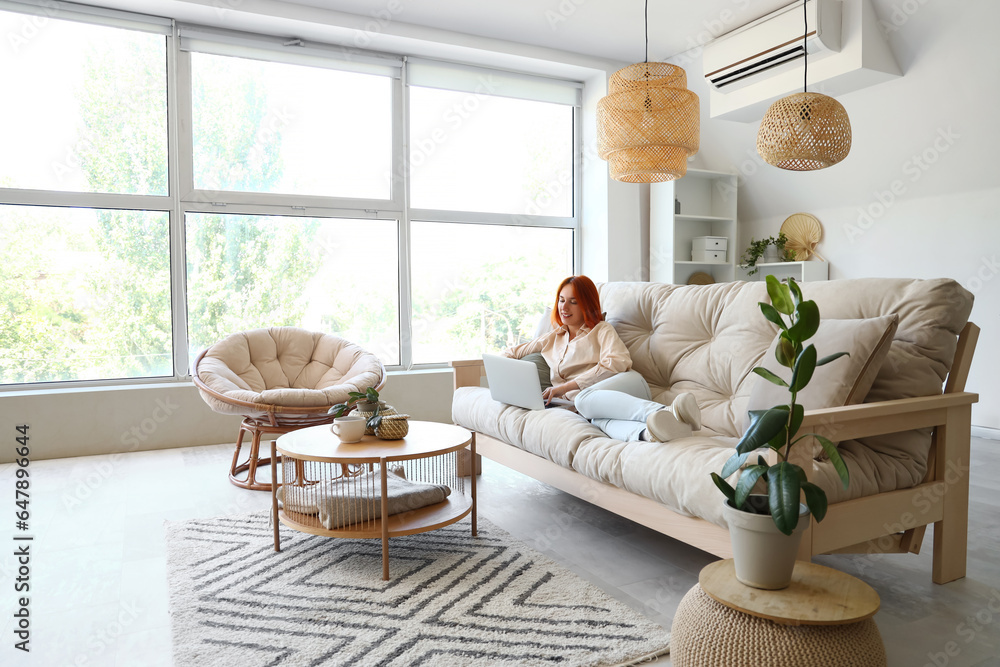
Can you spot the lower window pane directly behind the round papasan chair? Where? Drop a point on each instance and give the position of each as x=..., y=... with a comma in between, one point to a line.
x=246, y=272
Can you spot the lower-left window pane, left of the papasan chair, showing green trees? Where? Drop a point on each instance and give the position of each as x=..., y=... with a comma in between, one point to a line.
x=86, y=294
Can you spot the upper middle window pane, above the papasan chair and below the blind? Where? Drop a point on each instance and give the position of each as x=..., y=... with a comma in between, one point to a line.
x=275, y=127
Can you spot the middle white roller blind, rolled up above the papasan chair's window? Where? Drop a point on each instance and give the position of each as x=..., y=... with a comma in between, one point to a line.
x=292, y=51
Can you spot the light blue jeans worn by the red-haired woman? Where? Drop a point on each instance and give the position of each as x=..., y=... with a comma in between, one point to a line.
x=618, y=405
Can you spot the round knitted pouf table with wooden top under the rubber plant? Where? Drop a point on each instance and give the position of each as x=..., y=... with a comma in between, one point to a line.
x=823, y=619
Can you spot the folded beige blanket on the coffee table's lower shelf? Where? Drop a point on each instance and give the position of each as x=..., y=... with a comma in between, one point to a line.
x=343, y=502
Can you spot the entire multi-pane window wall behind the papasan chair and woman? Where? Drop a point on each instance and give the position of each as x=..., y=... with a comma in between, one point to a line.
x=163, y=186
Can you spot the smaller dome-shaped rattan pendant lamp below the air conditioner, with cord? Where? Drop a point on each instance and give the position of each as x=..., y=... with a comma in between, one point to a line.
x=805, y=131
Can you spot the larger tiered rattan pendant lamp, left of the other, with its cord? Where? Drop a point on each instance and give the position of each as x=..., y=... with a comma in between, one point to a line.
x=648, y=124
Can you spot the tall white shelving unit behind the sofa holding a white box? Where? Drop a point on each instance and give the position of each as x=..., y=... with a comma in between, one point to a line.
x=707, y=208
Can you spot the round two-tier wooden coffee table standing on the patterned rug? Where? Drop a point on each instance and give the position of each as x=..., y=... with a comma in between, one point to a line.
x=346, y=483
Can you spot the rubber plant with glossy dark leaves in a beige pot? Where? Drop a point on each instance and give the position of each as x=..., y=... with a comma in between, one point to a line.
x=766, y=529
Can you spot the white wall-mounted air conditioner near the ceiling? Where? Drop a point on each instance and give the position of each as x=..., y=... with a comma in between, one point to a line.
x=772, y=44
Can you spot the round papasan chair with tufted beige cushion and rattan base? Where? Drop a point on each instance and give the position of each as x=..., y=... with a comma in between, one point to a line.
x=280, y=379
